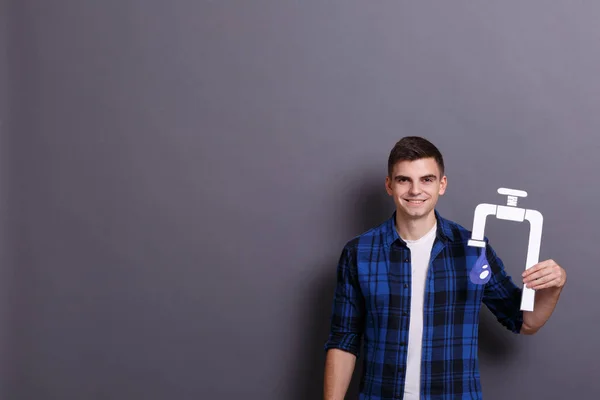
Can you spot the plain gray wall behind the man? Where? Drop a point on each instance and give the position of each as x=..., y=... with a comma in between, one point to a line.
x=178, y=180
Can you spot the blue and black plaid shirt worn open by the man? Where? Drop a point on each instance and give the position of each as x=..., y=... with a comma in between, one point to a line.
x=372, y=303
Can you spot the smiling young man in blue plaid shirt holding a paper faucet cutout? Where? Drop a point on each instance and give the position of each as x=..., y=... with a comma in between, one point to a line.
x=404, y=288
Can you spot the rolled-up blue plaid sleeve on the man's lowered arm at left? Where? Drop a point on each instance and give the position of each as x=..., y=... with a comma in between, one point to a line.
x=348, y=307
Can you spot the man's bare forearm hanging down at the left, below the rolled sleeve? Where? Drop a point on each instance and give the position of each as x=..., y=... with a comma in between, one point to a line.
x=339, y=367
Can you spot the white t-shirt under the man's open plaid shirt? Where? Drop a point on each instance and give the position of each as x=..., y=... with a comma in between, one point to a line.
x=420, y=251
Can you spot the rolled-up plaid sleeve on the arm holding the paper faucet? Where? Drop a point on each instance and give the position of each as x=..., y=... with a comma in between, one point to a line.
x=501, y=296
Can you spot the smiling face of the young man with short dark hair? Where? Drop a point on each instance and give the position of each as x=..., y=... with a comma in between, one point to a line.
x=416, y=187
